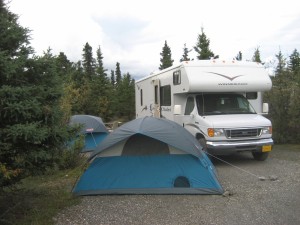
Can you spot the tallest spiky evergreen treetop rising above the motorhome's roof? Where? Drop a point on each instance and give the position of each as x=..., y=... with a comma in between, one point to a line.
x=202, y=47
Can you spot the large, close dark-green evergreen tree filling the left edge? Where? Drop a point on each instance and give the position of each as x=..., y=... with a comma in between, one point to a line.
x=31, y=126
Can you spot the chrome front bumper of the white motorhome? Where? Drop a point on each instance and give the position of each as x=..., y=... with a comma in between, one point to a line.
x=229, y=147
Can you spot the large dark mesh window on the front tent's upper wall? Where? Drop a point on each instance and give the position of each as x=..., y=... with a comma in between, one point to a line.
x=139, y=144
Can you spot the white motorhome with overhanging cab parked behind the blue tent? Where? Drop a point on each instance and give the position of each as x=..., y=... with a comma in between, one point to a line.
x=219, y=102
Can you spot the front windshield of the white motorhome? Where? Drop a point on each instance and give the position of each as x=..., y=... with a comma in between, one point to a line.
x=216, y=104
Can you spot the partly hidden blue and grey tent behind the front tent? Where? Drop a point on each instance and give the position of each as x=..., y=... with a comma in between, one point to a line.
x=92, y=128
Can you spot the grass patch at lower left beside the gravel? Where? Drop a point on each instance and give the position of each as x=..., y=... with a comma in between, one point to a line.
x=36, y=200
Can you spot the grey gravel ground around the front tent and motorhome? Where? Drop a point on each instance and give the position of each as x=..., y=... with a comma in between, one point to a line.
x=275, y=200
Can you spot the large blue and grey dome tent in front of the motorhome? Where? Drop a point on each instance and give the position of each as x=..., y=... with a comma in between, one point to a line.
x=149, y=156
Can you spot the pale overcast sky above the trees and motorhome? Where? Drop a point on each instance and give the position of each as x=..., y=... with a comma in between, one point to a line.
x=133, y=32
